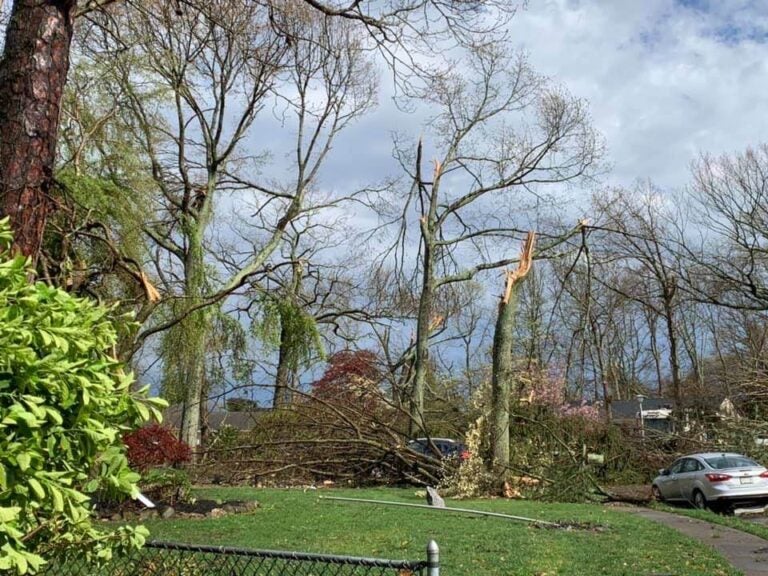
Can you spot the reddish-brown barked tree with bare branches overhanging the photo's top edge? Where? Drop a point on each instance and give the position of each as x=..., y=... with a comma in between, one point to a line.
x=35, y=61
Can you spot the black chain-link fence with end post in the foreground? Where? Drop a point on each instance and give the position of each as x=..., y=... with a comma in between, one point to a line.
x=170, y=559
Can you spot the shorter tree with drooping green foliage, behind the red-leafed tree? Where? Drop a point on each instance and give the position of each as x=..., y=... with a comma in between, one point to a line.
x=306, y=304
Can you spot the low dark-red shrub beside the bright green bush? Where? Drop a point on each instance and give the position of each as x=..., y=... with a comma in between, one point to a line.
x=155, y=445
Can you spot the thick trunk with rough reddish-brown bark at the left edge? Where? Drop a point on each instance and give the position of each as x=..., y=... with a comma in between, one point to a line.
x=33, y=71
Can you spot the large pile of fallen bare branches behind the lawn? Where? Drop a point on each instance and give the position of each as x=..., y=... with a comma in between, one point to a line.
x=353, y=439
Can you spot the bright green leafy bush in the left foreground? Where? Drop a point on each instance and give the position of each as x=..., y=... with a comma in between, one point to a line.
x=65, y=403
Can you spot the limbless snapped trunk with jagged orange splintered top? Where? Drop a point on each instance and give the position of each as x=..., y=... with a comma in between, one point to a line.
x=503, y=359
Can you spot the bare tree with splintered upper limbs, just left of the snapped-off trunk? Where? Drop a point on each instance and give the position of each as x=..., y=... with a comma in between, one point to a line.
x=503, y=135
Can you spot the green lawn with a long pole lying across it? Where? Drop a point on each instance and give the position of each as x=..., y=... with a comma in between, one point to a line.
x=294, y=520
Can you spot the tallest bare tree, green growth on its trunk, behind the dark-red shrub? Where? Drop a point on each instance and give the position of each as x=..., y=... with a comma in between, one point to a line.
x=220, y=66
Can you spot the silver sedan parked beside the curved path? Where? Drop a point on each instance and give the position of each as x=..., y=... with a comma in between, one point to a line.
x=713, y=479
